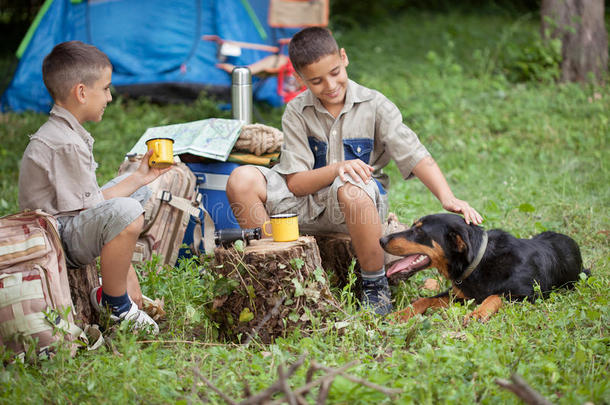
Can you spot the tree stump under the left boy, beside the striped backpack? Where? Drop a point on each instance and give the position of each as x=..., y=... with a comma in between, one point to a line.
x=82, y=281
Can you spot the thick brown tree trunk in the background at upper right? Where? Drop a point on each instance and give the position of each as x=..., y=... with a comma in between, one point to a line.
x=579, y=24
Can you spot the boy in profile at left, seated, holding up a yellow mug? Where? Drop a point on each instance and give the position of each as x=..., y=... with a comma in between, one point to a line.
x=57, y=175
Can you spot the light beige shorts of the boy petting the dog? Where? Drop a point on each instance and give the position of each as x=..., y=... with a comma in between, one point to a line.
x=320, y=212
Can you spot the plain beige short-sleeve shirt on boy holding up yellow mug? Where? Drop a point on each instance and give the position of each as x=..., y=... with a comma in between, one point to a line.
x=57, y=171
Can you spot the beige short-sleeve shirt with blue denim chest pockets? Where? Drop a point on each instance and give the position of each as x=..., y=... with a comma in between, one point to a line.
x=369, y=128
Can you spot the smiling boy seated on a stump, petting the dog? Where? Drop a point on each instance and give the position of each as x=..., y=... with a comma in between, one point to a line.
x=338, y=137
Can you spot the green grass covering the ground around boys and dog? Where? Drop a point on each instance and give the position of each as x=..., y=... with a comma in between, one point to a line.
x=529, y=156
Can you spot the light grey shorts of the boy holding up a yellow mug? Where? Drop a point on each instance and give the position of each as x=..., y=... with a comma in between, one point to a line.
x=85, y=234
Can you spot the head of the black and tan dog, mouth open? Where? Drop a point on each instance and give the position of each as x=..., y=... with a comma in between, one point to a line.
x=442, y=241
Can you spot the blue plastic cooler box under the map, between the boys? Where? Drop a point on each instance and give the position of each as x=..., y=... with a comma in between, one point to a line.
x=212, y=184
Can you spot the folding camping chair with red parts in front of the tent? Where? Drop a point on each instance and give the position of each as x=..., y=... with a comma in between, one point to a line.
x=282, y=14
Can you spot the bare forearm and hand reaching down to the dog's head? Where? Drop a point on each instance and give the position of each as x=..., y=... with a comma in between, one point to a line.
x=430, y=174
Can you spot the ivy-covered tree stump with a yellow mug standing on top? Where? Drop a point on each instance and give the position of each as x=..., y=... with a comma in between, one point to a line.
x=269, y=289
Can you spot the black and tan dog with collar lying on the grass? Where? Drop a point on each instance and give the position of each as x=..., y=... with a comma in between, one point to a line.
x=481, y=265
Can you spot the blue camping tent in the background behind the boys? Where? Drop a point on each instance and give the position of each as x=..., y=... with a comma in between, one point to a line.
x=155, y=46
